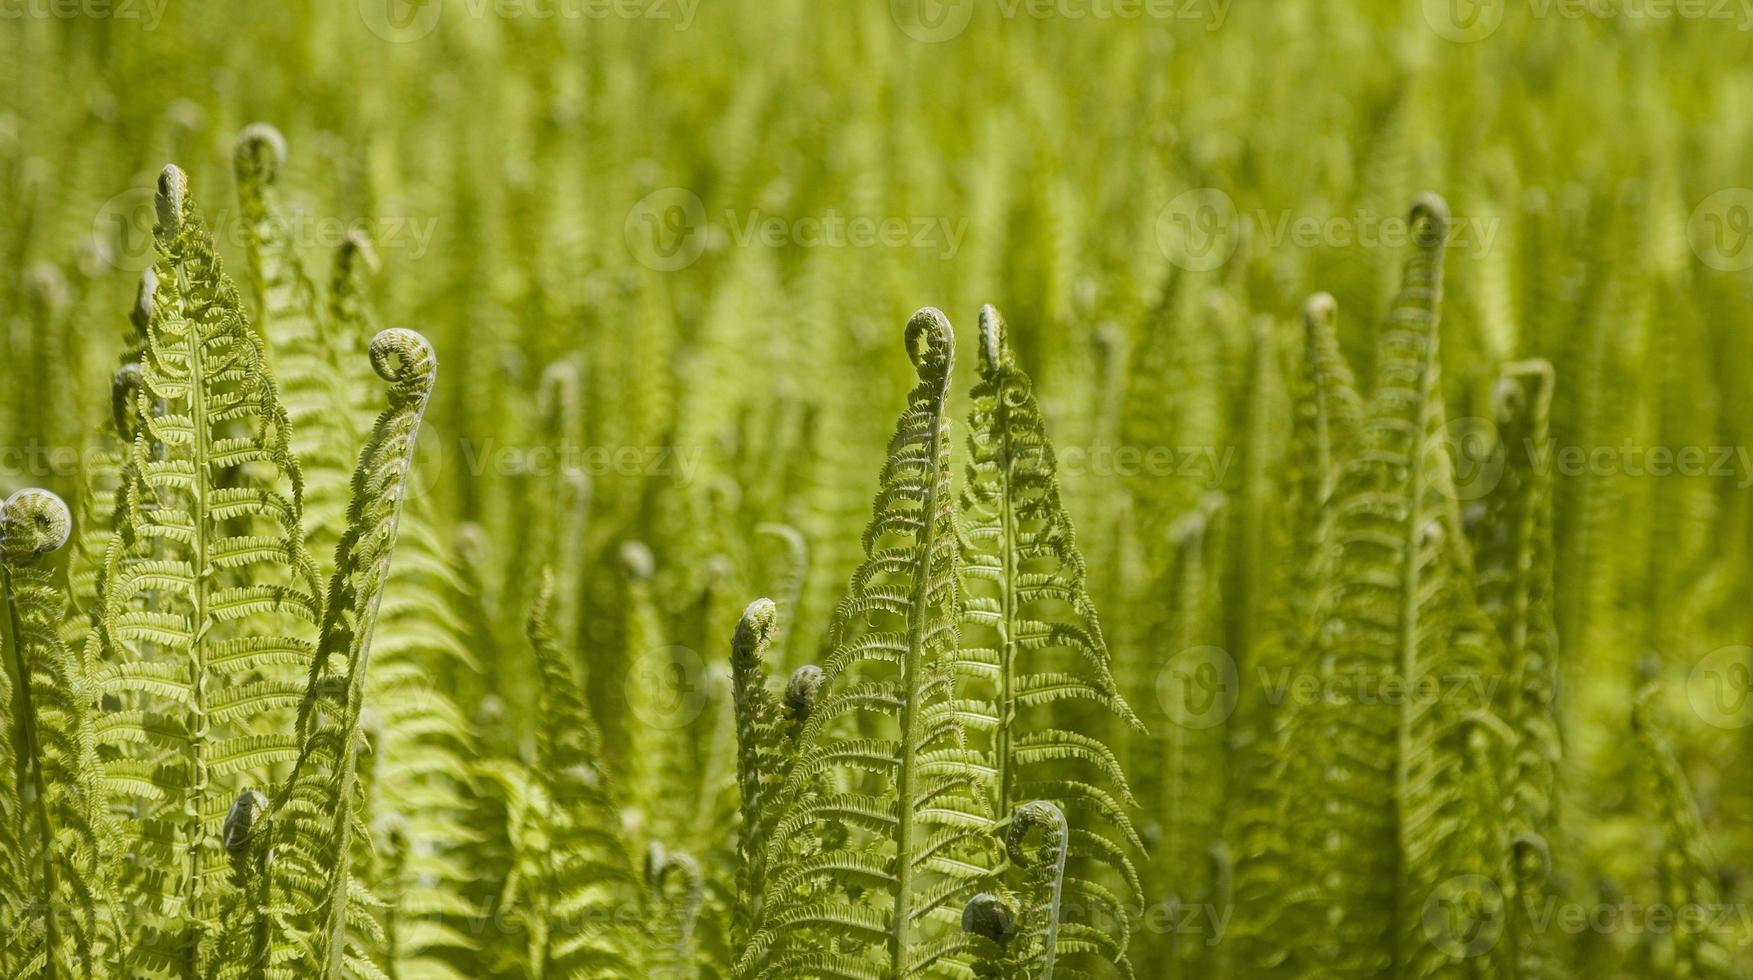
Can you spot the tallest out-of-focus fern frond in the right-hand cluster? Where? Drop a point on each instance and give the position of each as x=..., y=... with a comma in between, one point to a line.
x=1396, y=609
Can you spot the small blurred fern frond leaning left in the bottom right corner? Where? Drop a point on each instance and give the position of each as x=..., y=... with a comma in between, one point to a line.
x=1698, y=946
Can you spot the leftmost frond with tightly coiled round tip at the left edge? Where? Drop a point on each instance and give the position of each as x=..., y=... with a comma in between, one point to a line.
x=57, y=762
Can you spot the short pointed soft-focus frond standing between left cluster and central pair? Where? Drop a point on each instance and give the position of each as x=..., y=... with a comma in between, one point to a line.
x=579, y=881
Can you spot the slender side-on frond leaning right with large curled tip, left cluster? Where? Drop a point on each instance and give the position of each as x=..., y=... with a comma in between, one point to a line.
x=316, y=813
